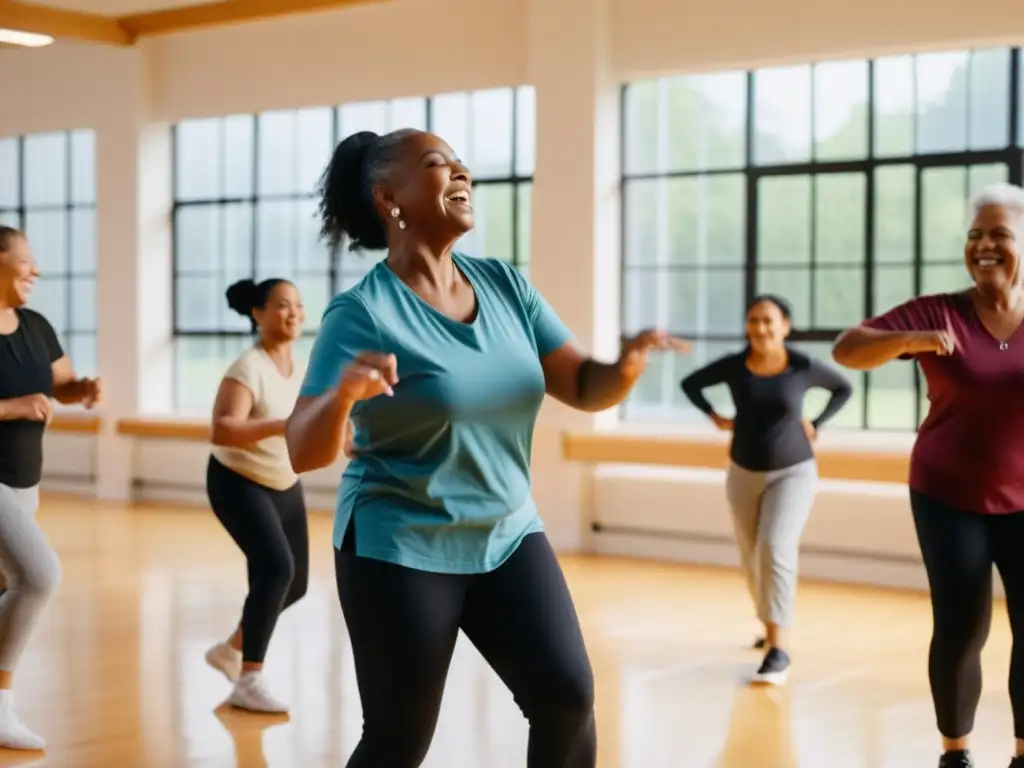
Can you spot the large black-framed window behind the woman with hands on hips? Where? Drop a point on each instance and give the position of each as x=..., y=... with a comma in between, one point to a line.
x=841, y=186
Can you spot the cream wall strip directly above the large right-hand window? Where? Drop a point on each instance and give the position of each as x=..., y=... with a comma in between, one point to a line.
x=655, y=37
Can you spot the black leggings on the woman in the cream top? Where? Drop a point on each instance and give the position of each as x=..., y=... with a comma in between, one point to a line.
x=271, y=529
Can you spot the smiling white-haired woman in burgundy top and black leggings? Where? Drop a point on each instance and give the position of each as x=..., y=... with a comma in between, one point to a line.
x=967, y=470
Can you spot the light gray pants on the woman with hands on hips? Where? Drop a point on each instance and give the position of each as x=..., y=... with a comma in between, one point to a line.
x=770, y=511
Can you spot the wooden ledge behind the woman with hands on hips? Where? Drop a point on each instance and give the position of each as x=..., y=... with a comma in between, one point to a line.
x=671, y=451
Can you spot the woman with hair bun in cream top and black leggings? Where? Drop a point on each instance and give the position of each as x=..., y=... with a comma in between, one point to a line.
x=251, y=485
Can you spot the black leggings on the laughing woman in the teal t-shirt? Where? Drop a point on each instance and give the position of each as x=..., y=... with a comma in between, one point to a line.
x=404, y=625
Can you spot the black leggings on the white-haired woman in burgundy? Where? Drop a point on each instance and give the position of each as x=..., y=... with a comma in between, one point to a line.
x=960, y=549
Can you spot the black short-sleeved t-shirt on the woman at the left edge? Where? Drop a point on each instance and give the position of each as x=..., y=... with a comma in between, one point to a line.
x=26, y=359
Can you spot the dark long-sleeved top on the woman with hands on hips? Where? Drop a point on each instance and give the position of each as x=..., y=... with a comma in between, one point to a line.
x=769, y=432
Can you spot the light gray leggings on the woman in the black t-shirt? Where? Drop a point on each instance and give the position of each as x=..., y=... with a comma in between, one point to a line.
x=31, y=571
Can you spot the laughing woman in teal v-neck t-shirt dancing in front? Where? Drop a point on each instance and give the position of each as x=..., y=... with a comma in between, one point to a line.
x=442, y=363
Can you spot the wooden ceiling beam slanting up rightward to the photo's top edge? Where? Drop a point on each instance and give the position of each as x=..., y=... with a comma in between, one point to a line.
x=225, y=13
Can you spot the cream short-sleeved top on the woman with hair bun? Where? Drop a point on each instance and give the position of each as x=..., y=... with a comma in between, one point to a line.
x=266, y=462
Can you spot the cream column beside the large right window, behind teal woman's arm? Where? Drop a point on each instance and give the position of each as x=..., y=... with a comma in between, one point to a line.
x=575, y=225
